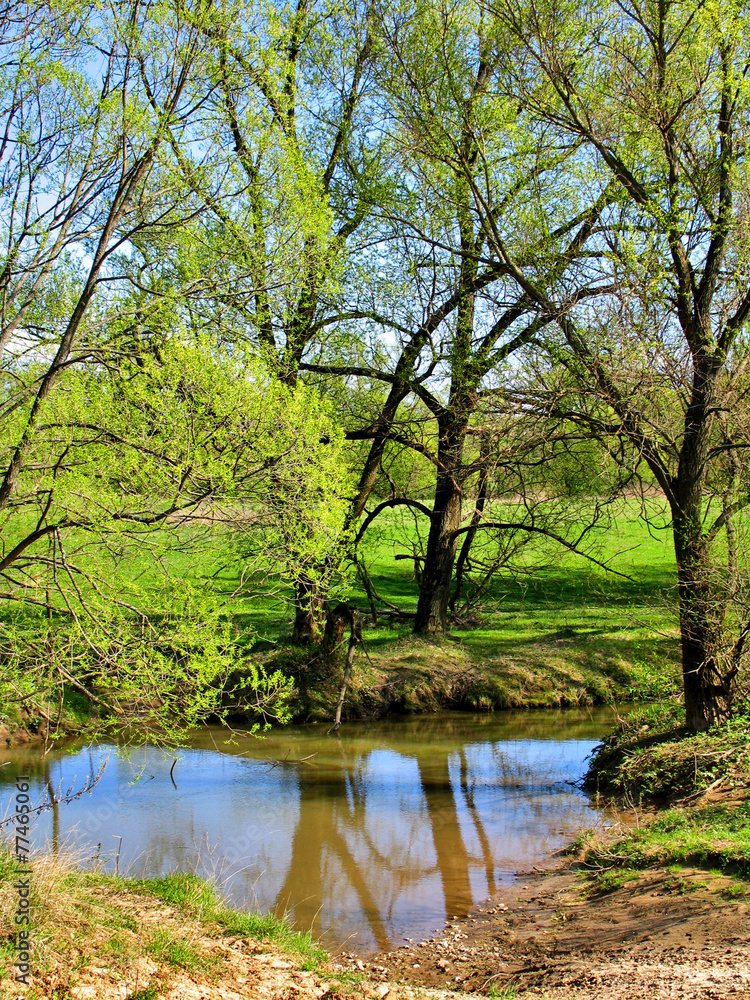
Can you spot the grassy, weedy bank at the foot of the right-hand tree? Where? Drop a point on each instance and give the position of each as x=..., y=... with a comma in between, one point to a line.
x=689, y=799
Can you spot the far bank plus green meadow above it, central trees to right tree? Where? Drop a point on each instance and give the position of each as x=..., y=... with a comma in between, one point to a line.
x=557, y=630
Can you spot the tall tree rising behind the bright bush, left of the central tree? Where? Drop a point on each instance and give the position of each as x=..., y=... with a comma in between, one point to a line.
x=285, y=172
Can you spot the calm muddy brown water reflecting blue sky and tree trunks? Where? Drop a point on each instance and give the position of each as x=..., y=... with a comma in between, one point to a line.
x=370, y=837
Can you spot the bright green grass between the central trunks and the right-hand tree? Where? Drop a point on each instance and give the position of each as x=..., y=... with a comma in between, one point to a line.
x=553, y=594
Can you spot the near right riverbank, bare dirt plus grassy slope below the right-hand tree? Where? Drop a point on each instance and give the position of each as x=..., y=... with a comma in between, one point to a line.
x=654, y=909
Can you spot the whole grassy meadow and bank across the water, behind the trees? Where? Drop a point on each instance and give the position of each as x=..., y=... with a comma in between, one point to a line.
x=552, y=628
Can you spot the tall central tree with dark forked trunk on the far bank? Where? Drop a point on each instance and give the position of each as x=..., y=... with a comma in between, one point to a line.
x=471, y=218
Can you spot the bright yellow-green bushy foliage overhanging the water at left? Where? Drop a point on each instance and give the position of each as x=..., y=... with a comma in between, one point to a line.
x=192, y=442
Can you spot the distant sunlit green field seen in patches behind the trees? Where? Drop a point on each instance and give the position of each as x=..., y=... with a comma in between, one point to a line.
x=555, y=596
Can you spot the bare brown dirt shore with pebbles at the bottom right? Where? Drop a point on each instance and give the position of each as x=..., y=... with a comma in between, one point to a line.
x=661, y=935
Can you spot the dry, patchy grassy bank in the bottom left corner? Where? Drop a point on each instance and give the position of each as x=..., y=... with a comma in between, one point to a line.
x=97, y=935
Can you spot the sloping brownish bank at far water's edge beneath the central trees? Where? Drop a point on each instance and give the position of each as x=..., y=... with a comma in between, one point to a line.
x=416, y=675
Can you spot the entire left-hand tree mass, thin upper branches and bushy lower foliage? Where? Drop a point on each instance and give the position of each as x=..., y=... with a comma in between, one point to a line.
x=114, y=435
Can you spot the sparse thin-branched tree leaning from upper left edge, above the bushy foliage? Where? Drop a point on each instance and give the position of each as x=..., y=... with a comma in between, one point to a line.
x=89, y=98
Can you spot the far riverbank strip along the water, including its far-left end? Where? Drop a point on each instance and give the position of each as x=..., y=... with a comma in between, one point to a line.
x=409, y=675
